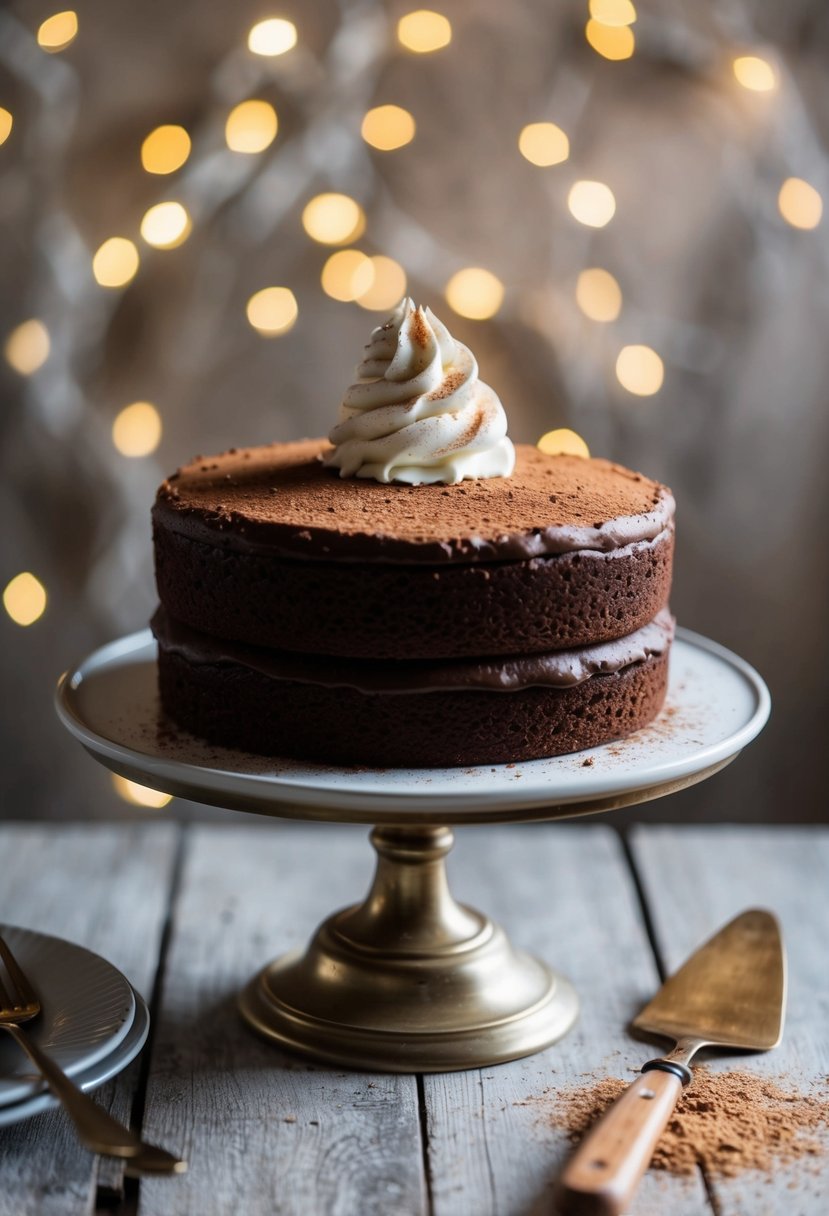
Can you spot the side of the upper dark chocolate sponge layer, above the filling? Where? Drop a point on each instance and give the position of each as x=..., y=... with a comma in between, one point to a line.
x=388, y=611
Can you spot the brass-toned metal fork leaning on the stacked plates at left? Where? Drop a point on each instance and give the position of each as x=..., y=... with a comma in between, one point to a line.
x=97, y=1129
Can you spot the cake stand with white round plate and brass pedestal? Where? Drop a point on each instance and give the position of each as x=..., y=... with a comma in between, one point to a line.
x=410, y=981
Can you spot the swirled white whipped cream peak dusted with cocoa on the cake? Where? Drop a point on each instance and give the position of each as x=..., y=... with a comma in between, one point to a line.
x=418, y=413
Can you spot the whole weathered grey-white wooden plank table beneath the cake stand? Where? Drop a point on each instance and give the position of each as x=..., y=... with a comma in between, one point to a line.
x=190, y=914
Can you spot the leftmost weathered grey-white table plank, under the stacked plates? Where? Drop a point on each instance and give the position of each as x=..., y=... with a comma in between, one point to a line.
x=106, y=888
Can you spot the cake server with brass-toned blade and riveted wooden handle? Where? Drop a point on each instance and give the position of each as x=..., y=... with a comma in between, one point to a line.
x=731, y=993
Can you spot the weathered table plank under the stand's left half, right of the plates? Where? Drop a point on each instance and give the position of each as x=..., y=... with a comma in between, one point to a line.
x=264, y=1133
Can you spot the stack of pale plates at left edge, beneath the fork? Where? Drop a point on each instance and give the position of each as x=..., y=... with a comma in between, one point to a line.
x=93, y=1022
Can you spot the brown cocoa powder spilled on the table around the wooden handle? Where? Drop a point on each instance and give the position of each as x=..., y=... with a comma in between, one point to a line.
x=725, y=1123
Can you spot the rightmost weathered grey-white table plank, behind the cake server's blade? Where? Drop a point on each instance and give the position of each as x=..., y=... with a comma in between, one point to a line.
x=696, y=880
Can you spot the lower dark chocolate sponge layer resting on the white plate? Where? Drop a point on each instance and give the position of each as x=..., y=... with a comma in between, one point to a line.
x=234, y=705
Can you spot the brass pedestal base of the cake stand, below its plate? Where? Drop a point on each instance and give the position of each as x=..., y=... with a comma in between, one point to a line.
x=410, y=981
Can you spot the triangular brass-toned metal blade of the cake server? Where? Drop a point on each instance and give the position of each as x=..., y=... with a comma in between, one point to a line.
x=730, y=993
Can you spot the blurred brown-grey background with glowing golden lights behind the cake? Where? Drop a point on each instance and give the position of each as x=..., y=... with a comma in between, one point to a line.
x=619, y=211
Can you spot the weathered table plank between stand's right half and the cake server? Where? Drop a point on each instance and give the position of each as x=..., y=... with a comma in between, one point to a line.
x=565, y=893
